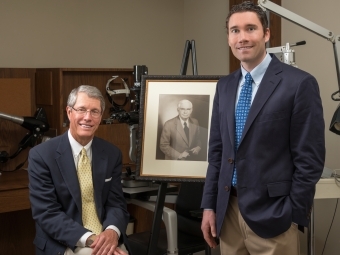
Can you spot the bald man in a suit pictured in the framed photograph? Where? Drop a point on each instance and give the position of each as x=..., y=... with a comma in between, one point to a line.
x=180, y=138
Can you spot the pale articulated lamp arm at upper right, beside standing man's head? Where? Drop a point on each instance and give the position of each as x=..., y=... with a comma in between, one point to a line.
x=311, y=26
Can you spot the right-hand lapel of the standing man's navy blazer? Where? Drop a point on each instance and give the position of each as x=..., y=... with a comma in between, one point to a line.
x=268, y=84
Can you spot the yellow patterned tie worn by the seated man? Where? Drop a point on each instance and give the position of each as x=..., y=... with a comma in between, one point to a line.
x=89, y=214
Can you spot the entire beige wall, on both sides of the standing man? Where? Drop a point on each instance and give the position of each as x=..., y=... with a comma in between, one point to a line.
x=113, y=33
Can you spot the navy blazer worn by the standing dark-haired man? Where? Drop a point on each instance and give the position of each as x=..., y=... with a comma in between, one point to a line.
x=281, y=153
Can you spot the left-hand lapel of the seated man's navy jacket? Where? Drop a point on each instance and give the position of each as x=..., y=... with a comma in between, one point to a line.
x=65, y=161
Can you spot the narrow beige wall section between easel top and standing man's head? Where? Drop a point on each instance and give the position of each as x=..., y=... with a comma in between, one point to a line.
x=204, y=21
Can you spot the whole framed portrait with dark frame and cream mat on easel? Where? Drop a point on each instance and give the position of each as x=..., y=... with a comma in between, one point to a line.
x=174, y=126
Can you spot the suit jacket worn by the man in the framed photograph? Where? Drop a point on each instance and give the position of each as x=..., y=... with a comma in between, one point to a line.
x=173, y=139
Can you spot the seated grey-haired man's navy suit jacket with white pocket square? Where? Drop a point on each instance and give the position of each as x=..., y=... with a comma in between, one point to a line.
x=55, y=193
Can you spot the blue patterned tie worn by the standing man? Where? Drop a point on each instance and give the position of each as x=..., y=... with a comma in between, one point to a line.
x=241, y=114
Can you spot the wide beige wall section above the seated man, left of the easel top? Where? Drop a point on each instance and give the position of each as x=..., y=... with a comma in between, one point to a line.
x=87, y=33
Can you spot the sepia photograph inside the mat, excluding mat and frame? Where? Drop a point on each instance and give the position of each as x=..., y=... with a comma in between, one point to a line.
x=183, y=127
